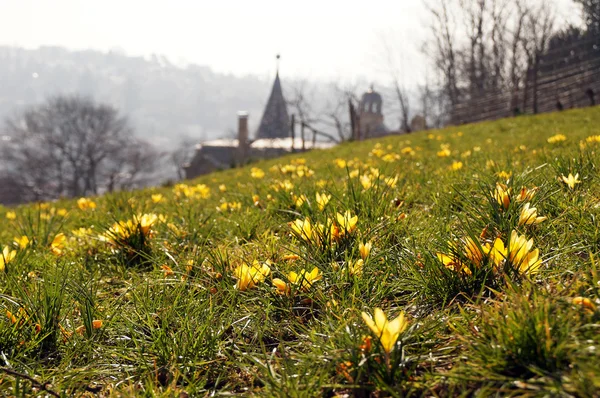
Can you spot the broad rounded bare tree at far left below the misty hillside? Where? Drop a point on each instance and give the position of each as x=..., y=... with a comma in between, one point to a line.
x=70, y=146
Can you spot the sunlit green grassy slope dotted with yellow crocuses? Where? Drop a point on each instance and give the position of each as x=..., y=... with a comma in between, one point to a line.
x=447, y=262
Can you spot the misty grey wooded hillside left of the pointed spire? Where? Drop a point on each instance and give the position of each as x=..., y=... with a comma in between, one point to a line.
x=164, y=101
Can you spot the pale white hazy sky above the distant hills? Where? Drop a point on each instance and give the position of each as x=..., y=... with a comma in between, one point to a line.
x=318, y=39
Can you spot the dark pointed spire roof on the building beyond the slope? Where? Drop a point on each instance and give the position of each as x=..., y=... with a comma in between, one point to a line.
x=275, y=122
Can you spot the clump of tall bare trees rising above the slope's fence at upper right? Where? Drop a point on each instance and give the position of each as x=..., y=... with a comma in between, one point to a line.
x=483, y=47
